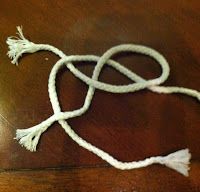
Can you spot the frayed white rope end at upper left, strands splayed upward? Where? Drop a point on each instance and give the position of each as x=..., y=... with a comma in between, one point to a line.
x=19, y=45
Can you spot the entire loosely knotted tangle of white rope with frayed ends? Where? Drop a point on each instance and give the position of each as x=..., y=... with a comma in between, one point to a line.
x=29, y=138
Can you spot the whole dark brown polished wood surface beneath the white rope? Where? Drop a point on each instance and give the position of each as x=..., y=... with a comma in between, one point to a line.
x=128, y=126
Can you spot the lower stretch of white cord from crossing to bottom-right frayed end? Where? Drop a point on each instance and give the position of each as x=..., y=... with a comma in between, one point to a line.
x=178, y=160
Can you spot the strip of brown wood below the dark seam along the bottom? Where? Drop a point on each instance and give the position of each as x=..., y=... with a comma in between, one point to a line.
x=151, y=179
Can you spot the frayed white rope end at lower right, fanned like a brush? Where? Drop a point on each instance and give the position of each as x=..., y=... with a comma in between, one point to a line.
x=179, y=161
